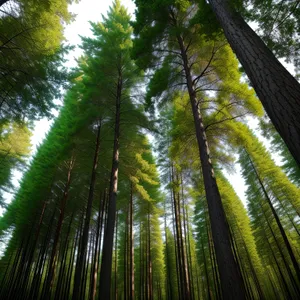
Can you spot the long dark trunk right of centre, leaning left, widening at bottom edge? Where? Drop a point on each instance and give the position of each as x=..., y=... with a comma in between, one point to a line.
x=231, y=279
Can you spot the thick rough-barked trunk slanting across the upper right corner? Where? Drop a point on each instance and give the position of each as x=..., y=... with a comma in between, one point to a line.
x=276, y=88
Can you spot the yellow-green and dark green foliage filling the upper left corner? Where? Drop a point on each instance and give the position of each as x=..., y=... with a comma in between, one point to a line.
x=31, y=68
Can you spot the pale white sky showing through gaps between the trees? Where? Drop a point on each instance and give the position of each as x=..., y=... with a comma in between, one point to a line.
x=92, y=10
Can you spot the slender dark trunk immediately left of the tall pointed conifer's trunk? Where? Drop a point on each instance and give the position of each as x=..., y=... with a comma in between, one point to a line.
x=85, y=234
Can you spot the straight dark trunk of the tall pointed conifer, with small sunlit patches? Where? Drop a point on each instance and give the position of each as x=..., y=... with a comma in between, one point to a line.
x=106, y=265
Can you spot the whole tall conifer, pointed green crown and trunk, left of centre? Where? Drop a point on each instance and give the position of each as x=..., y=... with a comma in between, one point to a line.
x=110, y=53
